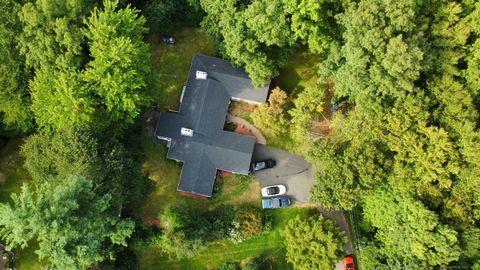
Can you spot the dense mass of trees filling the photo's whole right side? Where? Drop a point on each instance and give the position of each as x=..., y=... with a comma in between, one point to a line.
x=413, y=129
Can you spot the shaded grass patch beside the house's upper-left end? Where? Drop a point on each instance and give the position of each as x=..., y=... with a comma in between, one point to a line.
x=172, y=63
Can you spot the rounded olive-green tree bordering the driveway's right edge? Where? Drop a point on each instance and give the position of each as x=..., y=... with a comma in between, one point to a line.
x=350, y=162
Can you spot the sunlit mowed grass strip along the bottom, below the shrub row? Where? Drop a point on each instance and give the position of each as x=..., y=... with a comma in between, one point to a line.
x=268, y=246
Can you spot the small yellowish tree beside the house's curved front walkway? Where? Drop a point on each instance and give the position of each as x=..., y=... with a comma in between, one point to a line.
x=271, y=118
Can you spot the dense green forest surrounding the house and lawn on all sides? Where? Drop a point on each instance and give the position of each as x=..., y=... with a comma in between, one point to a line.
x=402, y=155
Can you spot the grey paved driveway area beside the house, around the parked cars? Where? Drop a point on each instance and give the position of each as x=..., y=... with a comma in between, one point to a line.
x=291, y=170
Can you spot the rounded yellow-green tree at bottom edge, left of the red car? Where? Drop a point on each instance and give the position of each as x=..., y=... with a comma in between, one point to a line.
x=314, y=243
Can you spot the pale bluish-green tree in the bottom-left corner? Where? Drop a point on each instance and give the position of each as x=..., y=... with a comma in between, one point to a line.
x=71, y=223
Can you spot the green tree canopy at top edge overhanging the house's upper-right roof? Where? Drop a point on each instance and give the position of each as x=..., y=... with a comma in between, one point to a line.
x=260, y=34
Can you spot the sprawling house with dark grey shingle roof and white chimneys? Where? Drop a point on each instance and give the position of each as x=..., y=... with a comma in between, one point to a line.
x=195, y=135
